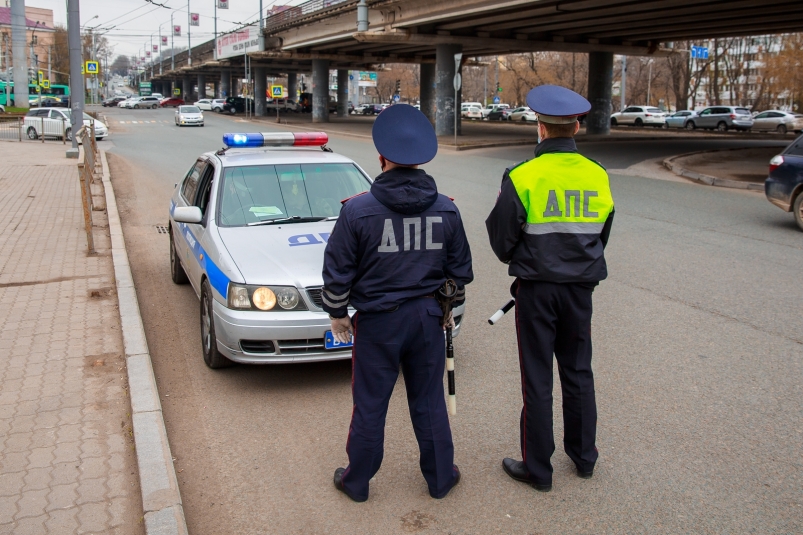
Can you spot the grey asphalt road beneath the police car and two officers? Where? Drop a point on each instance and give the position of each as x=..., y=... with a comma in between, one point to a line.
x=698, y=360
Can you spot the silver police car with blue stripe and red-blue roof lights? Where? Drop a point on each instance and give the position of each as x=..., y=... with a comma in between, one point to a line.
x=248, y=228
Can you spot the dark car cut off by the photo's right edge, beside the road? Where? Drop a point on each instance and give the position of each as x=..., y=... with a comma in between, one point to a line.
x=784, y=185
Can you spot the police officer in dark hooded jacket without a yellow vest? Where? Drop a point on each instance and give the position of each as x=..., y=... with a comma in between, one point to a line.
x=390, y=251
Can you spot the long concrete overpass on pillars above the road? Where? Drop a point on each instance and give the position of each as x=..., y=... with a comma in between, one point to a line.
x=320, y=35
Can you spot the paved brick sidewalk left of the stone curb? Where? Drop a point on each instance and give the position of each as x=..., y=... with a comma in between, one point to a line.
x=67, y=463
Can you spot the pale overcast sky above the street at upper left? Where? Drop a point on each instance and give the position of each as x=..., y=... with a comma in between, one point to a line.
x=131, y=22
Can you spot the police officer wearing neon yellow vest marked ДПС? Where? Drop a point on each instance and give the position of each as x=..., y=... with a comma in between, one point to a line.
x=550, y=225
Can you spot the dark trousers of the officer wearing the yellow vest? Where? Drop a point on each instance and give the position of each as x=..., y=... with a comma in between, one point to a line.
x=555, y=318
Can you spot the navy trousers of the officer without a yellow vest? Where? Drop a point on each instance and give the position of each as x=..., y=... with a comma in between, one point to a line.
x=409, y=338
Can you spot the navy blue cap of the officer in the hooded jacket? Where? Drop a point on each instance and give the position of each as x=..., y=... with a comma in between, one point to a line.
x=403, y=135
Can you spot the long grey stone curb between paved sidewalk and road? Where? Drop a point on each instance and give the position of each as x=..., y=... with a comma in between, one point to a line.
x=161, y=500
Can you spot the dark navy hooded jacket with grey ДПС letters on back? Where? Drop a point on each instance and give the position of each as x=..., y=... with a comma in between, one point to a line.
x=399, y=241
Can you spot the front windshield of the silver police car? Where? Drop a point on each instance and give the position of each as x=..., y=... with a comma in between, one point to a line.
x=250, y=194
